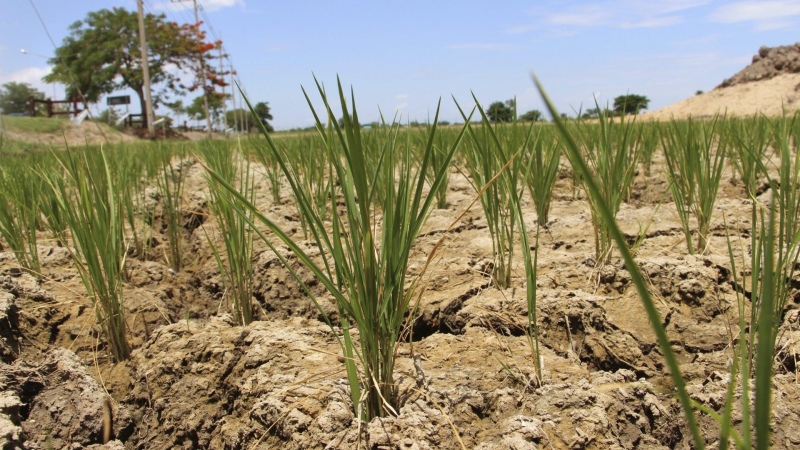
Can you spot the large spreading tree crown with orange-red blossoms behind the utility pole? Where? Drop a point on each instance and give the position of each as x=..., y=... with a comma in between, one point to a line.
x=102, y=54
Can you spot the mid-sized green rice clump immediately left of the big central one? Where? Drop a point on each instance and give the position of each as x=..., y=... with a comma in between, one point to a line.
x=234, y=223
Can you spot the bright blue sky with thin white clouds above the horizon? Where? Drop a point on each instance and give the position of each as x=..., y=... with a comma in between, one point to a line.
x=403, y=56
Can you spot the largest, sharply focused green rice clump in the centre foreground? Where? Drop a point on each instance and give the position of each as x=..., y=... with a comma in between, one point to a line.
x=364, y=254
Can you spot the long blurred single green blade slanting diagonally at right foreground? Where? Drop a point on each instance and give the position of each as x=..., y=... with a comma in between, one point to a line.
x=605, y=212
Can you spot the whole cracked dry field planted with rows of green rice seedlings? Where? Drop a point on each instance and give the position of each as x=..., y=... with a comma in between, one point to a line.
x=259, y=293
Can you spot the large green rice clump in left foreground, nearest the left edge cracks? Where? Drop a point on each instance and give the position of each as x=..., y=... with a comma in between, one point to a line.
x=85, y=198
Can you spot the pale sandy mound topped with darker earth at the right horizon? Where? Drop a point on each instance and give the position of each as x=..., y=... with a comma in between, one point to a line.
x=767, y=86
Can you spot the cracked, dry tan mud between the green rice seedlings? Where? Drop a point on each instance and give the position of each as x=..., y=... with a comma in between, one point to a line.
x=466, y=380
